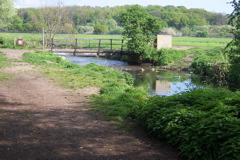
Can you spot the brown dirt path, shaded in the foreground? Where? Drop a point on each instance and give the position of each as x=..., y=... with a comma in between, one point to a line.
x=40, y=120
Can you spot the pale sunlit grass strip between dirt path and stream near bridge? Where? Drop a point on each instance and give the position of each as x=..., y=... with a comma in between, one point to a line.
x=73, y=76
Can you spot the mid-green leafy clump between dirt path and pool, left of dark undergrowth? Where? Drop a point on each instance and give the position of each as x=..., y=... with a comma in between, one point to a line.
x=117, y=101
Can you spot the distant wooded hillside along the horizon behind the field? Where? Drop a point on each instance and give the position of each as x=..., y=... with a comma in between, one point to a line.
x=84, y=19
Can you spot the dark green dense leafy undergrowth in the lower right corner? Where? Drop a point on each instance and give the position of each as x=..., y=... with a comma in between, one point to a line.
x=203, y=124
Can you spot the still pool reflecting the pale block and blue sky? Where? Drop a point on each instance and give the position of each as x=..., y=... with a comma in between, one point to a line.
x=165, y=83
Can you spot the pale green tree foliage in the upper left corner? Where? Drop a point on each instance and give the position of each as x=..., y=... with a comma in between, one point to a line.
x=7, y=12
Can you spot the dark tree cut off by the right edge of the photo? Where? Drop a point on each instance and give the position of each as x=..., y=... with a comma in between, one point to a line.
x=234, y=46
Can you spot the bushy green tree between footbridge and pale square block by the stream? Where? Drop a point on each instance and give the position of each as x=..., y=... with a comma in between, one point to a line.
x=139, y=28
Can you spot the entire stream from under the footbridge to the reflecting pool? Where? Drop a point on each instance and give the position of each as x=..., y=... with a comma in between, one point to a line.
x=158, y=82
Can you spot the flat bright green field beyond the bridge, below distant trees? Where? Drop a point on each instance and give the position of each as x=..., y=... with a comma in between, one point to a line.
x=34, y=40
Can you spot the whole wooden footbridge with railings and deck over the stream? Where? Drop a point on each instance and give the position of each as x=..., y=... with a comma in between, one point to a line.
x=89, y=47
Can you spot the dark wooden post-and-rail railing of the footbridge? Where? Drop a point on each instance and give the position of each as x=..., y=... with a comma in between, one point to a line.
x=88, y=44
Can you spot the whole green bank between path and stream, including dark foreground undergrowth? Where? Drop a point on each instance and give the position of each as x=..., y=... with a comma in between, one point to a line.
x=202, y=124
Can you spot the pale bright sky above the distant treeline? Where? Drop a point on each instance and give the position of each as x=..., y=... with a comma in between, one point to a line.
x=211, y=5
